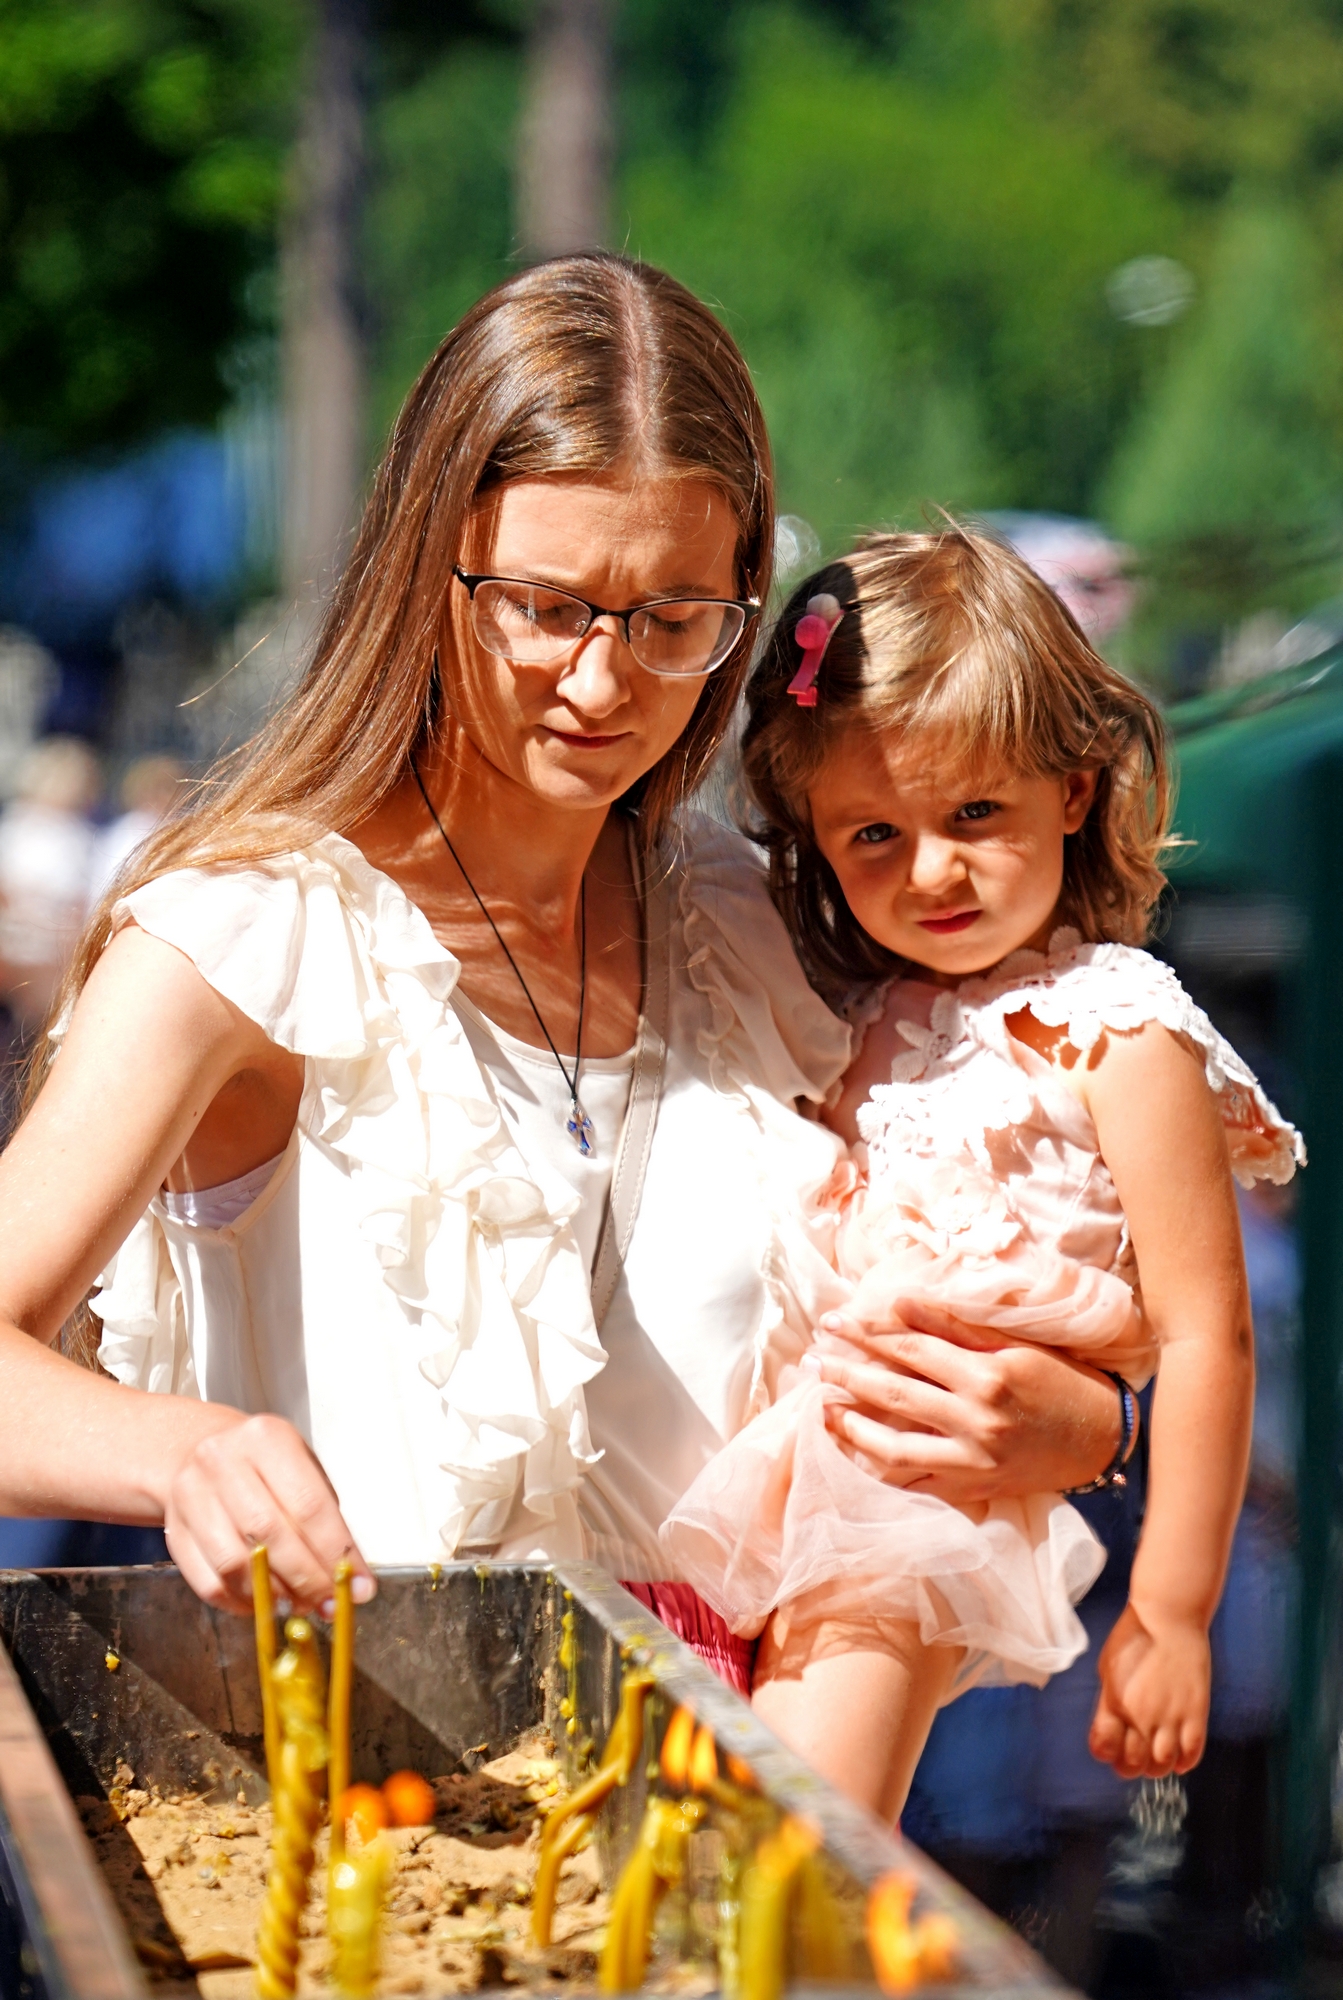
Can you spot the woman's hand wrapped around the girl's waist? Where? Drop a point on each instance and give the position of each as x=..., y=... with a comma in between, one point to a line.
x=958, y=1413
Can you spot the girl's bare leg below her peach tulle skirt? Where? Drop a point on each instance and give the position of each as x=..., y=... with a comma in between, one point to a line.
x=854, y=1703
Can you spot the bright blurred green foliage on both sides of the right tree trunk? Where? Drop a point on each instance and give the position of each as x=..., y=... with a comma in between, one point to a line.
x=908, y=211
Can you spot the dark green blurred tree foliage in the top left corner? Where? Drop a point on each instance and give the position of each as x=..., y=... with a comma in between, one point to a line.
x=141, y=175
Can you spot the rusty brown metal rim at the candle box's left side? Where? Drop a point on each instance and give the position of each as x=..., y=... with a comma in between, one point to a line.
x=67, y=1907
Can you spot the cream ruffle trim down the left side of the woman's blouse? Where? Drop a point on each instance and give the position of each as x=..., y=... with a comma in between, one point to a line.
x=337, y=965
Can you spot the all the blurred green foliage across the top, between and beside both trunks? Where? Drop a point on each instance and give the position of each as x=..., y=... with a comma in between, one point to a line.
x=908, y=213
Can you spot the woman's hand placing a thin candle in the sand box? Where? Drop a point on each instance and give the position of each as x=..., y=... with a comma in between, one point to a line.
x=249, y=1483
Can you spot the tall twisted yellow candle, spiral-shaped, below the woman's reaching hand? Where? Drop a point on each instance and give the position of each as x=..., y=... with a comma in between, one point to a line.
x=297, y=1807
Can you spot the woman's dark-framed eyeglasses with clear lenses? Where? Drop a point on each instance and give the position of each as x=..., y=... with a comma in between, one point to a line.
x=535, y=625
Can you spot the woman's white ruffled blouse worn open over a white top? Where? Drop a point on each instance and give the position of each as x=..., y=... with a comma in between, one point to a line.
x=411, y=1293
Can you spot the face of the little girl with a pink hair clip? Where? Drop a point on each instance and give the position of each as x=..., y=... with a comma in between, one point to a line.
x=952, y=879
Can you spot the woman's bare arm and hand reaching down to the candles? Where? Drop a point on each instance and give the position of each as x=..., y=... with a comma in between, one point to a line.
x=149, y=1053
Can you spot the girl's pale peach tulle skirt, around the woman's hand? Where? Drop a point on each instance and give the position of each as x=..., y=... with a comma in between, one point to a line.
x=786, y=1521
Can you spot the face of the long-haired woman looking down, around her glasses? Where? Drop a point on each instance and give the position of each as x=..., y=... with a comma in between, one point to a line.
x=583, y=729
